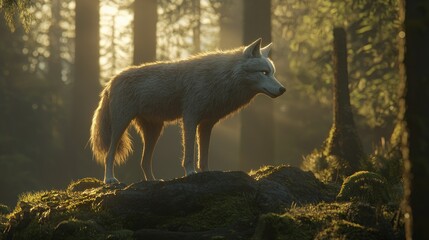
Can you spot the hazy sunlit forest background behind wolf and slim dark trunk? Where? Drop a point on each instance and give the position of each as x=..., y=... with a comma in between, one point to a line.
x=51, y=76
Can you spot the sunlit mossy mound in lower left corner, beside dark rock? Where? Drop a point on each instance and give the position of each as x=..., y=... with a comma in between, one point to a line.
x=46, y=214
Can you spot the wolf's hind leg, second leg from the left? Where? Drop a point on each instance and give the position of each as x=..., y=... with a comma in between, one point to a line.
x=150, y=132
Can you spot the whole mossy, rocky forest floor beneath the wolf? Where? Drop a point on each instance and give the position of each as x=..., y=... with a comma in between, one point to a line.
x=272, y=203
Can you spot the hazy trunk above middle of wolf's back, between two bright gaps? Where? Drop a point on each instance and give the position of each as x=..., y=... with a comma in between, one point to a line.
x=145, y=19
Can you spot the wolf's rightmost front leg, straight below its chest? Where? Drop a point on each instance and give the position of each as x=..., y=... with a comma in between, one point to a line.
x=204, y=132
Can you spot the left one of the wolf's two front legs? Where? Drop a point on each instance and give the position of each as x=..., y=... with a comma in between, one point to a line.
x=188, y=135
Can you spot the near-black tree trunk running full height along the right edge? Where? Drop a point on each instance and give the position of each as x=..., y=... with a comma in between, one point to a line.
x=414, y=114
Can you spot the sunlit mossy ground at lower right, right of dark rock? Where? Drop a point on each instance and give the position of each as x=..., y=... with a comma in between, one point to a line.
x=327, y=221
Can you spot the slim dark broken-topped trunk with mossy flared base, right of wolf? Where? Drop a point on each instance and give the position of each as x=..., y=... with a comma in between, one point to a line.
x=343, y=141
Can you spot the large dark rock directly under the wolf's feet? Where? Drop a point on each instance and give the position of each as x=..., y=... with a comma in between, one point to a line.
x=183, y=203
